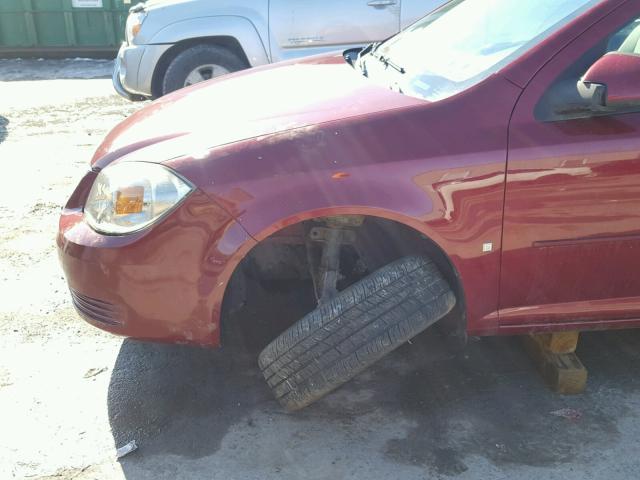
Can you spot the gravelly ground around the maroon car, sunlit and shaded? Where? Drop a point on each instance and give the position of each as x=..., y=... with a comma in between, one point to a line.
x=70, y=394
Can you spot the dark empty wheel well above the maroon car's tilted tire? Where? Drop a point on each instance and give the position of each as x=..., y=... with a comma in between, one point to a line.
x=278, y=266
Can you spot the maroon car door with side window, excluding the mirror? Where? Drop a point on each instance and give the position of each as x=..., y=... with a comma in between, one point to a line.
x=571, y=238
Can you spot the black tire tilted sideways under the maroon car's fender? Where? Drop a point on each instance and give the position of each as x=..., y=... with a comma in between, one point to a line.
x=359, y=326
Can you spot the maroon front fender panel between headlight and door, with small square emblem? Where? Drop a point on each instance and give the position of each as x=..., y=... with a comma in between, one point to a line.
x=437, y=167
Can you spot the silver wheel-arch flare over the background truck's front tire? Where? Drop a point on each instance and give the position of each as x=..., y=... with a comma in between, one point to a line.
x=240, y=28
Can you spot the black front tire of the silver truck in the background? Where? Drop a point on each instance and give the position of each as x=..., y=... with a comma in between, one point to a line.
x=192, y=58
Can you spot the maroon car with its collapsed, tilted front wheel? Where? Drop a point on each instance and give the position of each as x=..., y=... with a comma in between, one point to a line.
x=482, y=167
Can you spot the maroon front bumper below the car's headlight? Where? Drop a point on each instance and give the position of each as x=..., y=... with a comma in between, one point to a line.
x=165, y=283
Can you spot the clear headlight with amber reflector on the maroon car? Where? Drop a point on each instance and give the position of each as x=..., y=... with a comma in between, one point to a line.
x=129, y=196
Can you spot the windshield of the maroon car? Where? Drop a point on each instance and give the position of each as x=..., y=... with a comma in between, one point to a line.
x=464, y=42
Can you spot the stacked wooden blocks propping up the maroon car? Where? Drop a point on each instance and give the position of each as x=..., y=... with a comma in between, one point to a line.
x=563, y=372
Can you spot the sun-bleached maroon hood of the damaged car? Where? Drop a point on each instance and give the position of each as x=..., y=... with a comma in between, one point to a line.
x=245, y=105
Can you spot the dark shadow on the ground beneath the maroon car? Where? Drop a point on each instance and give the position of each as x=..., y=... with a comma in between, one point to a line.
x=428, y=404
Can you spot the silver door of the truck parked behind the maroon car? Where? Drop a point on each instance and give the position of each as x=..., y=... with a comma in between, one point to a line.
x=299, y=28
